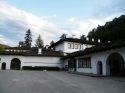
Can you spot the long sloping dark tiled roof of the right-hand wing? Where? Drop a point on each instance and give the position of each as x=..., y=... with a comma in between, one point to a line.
x=95, y=49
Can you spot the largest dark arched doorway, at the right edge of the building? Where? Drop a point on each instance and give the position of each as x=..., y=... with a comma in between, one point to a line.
x=115, y=65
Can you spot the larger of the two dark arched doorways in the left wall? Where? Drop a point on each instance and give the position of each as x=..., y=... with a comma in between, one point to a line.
x=15, y=64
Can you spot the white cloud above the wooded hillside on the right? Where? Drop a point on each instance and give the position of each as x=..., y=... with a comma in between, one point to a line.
x=86, y=25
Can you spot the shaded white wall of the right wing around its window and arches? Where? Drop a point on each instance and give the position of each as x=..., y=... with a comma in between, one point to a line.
x=100, y=56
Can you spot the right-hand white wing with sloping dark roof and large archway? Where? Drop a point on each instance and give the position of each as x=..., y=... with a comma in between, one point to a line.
x=99, y=60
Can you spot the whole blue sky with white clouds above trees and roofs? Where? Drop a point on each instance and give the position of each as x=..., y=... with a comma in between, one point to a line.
x=52, y=18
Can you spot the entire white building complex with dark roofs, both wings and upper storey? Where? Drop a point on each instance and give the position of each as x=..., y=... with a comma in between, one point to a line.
x=72, y=54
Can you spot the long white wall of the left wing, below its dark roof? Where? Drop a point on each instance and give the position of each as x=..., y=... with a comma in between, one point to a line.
x=32, y=61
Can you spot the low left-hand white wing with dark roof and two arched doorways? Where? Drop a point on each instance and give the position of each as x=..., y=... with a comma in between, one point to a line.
x=18, y=58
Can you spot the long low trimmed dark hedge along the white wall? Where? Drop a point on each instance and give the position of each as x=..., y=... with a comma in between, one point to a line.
x=40, y=68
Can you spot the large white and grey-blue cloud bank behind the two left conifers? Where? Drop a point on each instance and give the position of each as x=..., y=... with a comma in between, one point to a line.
x=16, y=21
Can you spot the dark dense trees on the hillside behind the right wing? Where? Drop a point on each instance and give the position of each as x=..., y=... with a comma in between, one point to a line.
x=111, y=31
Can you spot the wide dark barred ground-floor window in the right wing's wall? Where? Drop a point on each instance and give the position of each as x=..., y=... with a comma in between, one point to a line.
x=84, y=62
